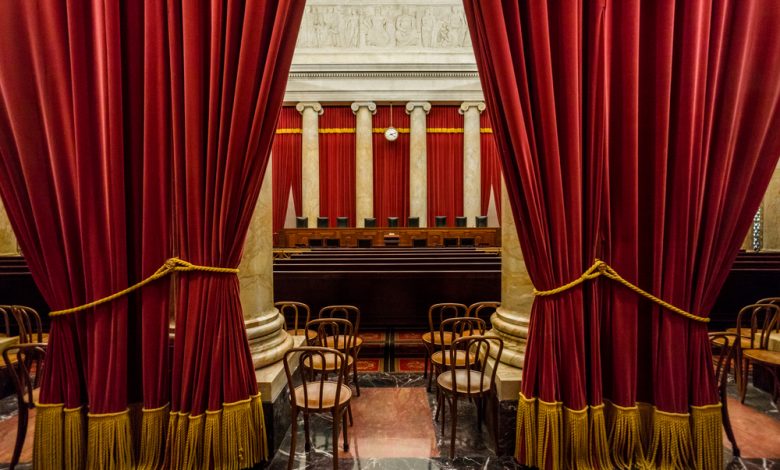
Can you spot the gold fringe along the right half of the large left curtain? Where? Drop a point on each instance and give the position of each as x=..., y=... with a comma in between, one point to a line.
x=231, y=438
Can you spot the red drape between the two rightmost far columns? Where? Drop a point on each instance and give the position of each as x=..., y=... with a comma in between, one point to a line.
x=445, y=163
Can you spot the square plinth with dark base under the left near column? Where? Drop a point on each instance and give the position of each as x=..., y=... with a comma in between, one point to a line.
x=272, y=384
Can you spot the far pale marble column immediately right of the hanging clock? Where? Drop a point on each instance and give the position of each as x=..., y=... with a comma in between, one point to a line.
x=418, y=160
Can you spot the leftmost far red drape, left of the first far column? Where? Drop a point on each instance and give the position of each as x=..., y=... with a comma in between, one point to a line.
x=286, y=167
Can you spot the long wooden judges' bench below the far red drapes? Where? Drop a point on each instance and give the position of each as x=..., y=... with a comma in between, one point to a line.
x=348, y=237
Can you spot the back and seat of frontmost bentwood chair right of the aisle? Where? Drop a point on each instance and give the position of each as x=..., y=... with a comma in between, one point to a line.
x=480, y=347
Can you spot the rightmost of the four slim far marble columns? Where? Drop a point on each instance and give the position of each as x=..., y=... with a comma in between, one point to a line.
x=472, y=164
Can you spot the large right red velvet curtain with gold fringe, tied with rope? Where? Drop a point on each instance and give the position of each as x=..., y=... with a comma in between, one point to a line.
x=627, y=131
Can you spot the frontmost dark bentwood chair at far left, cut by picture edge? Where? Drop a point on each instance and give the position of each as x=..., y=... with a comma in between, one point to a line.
x=25, y=363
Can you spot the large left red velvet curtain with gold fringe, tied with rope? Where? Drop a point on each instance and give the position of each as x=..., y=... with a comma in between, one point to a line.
x=122, y=146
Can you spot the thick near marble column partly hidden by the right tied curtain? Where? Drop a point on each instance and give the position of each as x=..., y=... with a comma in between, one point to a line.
x=510, y=322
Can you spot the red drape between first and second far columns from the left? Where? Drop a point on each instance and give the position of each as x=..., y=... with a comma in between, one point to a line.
x=337, y=163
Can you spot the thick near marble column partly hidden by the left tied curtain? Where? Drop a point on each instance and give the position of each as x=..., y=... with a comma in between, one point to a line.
x=268, y=341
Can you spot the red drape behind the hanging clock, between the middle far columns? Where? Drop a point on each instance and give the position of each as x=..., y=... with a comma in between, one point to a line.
x=391, y=166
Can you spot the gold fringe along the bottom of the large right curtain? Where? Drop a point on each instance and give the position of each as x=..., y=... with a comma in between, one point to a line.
x=604, y=436
